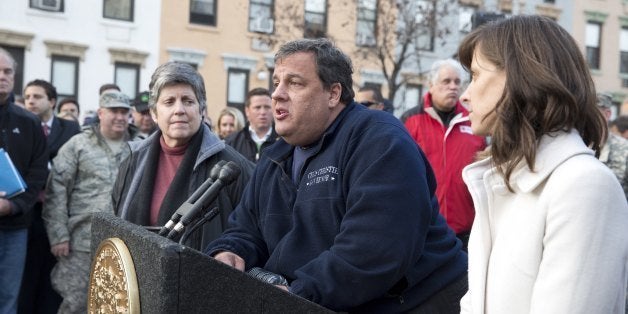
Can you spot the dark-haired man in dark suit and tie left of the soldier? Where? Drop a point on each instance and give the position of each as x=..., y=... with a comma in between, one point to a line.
x=36, y=294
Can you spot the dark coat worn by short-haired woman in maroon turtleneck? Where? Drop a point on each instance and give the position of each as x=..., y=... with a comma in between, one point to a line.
x=138, y=167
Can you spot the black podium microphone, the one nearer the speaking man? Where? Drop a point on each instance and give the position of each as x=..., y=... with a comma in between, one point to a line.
x=228, y=173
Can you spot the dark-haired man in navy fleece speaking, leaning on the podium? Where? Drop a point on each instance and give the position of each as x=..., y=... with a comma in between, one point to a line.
x=343, y=204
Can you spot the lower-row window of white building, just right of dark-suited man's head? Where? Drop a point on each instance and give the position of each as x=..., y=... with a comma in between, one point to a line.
x=65, y=75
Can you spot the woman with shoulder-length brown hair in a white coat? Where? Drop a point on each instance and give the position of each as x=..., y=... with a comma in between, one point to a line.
x=550, y=233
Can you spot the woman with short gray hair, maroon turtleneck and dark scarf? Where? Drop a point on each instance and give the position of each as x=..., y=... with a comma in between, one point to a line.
x=163, y=170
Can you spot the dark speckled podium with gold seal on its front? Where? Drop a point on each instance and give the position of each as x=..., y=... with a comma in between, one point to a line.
x=173, y=278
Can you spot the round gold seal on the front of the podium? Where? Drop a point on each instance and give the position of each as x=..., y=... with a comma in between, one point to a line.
x=112, y=281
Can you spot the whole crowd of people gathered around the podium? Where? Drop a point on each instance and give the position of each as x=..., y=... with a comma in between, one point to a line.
x=504, y=191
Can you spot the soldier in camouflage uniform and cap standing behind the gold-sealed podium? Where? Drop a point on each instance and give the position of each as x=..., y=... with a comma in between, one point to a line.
x=80, y=184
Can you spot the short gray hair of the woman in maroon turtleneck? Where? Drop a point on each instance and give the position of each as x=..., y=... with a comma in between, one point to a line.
x=174, y=72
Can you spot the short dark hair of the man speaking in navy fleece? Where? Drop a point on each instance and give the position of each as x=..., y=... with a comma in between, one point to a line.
x=332, y=65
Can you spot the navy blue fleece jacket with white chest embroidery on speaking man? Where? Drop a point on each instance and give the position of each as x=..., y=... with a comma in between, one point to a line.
x=361, y=231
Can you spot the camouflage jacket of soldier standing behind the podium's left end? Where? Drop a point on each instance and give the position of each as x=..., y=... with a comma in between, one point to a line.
x=80, y=184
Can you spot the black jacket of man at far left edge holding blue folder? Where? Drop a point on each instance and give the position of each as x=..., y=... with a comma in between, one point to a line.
x=22, y=137
